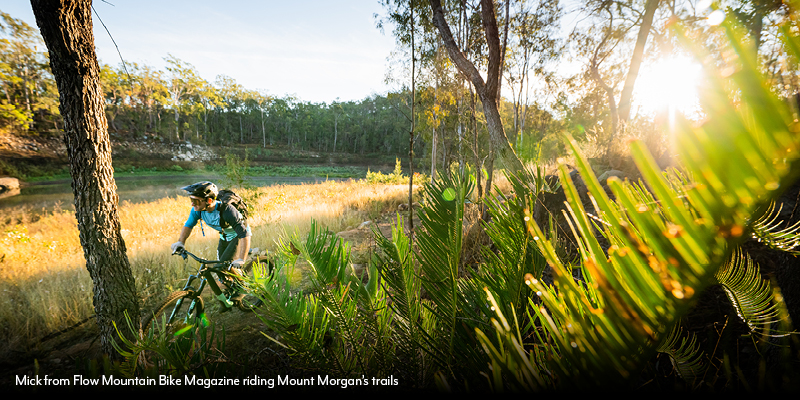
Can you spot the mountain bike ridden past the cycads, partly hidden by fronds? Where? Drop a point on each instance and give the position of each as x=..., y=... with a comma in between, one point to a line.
x=229, y=288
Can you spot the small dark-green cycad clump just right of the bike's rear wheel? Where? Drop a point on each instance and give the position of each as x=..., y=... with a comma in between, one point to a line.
x=327, y=329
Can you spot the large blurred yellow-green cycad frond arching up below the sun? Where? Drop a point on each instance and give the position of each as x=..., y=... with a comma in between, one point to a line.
x=666, y=248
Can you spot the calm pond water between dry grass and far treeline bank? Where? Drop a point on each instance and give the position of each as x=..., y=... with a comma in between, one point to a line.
x=47, y=196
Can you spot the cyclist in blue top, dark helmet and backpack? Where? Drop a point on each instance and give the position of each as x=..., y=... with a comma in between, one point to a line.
x=234, y=238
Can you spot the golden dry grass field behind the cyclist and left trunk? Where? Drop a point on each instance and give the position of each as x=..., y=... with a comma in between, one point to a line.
x=43, y=279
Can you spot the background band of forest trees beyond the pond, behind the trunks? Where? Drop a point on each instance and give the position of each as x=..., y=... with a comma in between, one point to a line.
x=539, y=100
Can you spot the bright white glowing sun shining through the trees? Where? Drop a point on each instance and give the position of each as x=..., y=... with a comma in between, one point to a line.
x=669, y=84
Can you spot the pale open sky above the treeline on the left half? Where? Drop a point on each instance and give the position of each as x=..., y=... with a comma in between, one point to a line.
x=316, y=50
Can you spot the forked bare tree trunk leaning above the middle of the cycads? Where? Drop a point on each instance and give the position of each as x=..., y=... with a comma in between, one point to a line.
x=488, y=91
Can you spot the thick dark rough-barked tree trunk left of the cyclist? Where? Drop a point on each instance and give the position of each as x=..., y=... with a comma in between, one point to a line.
x=66, y=27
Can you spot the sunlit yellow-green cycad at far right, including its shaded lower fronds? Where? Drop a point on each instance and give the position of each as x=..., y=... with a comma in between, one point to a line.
x=669, y=238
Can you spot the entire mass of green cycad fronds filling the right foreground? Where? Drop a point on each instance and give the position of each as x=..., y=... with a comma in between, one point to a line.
x=643, y=260
